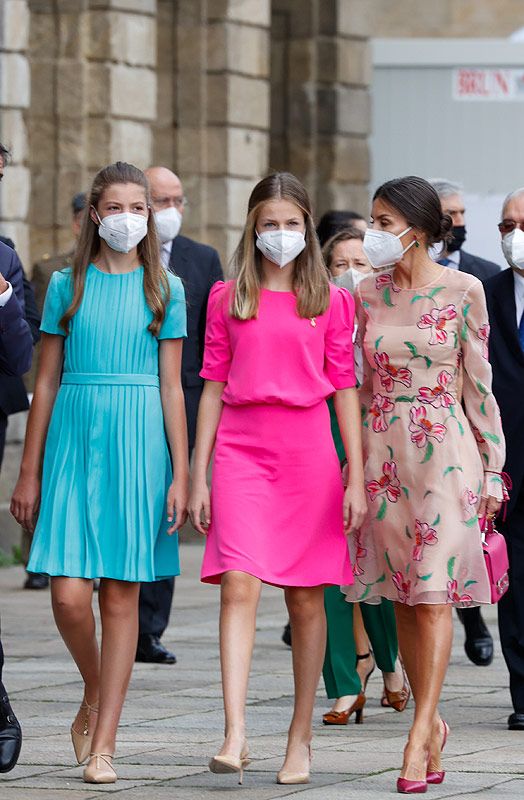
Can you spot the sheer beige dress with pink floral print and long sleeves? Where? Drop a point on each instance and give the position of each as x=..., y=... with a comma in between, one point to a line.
x=433, y=441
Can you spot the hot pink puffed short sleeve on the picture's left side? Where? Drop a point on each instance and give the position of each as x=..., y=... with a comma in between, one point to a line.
x=217, y=350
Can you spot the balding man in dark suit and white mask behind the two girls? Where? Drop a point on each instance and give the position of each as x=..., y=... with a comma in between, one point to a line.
x=199, y=268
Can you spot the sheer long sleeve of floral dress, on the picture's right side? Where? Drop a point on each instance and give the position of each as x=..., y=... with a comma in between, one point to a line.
x=481, y=407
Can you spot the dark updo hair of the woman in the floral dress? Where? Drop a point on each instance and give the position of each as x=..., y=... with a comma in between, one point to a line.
x=418, y=202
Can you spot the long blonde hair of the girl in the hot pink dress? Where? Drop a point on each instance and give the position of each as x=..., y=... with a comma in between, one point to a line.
x=310, y=279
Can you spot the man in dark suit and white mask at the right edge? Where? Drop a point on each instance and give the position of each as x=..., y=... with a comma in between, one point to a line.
x=505, y=297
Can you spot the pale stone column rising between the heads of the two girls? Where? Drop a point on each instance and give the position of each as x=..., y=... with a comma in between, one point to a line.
x=238, y=97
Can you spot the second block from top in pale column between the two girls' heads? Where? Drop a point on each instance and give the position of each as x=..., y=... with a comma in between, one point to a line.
x=241, y=48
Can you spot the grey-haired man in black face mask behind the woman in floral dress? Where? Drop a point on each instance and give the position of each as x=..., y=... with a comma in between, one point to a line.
x=479, y=642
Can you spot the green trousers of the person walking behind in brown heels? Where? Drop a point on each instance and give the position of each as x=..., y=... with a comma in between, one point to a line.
x=339, y=671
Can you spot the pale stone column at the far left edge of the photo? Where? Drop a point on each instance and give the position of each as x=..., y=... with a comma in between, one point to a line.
x=15, y=94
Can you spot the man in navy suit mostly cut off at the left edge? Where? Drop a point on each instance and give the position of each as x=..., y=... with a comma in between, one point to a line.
x=16, y=351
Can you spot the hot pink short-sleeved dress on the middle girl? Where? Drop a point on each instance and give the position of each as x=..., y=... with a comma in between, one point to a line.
x=276, y=492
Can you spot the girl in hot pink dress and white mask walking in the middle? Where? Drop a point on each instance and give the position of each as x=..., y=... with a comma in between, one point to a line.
x=278, y=343
